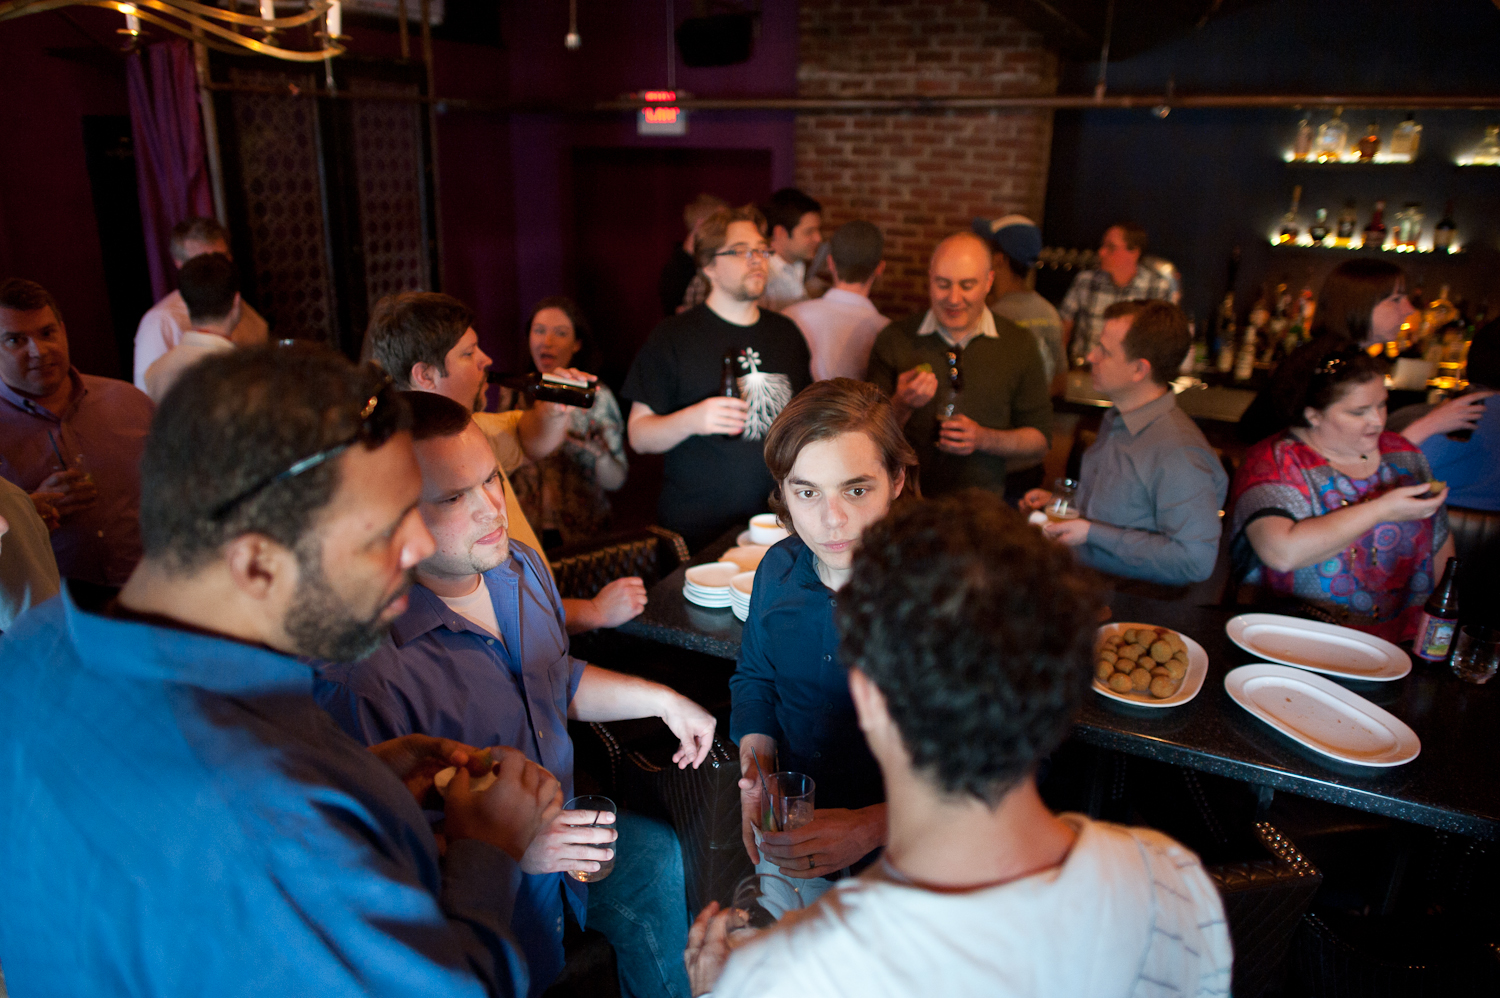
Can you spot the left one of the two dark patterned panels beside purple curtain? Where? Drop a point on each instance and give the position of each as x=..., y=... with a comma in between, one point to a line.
x=278, y=158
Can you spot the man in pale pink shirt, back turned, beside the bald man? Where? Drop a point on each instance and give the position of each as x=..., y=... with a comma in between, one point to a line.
x=842, y=325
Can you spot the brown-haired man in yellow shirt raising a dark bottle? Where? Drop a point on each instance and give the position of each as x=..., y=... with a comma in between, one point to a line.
x=427, y=343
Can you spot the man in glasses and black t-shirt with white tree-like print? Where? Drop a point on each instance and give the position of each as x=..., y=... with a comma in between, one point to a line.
x=716, y=473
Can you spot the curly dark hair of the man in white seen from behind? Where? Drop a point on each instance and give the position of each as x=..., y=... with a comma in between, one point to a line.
x=980, y=634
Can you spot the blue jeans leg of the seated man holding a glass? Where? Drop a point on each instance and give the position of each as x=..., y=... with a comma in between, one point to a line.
x=643, y=909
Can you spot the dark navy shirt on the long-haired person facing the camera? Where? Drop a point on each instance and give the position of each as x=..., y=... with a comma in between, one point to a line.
x=790, y=684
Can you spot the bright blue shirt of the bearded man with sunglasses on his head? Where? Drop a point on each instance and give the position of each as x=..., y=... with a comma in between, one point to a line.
x=178, y=817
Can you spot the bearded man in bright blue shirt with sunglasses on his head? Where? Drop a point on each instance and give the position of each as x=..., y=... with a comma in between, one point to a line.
x=176, y=814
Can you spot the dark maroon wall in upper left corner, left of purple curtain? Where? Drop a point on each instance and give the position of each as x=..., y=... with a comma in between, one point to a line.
x=47, y=215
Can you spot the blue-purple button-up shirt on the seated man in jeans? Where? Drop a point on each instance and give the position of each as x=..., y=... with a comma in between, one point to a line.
x=439, y=675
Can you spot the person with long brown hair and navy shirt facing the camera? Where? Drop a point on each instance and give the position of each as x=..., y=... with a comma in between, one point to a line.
x=839, y=460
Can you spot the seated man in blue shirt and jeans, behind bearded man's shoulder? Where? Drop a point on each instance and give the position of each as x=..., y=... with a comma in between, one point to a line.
x=482, y=655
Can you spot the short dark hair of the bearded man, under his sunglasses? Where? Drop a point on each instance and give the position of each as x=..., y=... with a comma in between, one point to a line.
x=238, y=419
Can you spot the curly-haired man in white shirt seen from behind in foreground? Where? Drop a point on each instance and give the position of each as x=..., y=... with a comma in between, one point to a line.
x=982, y=889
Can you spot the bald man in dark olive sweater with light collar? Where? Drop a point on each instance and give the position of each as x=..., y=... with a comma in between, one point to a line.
x=968, y=386
